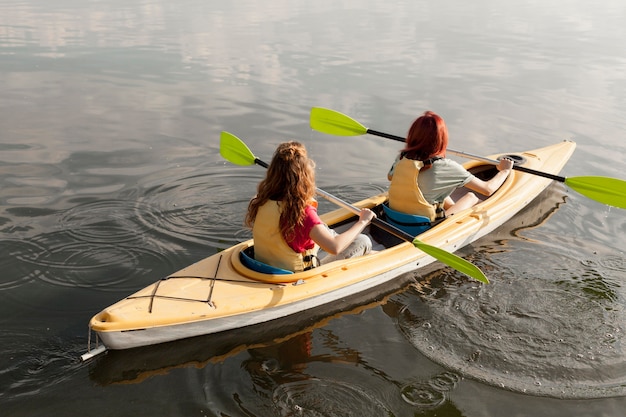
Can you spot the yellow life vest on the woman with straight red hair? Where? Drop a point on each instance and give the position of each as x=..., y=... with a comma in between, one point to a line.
x=404, y=193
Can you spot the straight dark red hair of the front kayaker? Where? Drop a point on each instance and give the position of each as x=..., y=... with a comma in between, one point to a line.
x=427, y=137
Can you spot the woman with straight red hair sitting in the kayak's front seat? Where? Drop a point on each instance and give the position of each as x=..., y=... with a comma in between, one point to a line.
x=424, y=156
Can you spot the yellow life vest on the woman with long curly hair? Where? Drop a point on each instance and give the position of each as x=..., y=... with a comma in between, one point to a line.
x=270, y=246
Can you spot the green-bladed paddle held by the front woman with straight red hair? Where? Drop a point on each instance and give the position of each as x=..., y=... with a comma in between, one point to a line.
x=611, y=191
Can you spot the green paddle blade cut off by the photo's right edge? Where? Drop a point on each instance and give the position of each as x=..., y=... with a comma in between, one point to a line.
x=611, y=191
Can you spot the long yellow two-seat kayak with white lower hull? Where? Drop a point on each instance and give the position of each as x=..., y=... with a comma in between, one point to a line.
x=225, y=291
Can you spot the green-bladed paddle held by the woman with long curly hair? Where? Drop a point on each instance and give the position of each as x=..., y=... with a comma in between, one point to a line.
x=235, y=151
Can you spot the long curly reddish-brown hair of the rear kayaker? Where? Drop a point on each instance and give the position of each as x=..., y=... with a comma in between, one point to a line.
x=290, y=179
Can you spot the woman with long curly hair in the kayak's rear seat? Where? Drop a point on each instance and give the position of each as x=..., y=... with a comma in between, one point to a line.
x=286, y=228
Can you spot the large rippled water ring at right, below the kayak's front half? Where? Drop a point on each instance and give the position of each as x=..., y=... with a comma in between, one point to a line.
x=557, y=333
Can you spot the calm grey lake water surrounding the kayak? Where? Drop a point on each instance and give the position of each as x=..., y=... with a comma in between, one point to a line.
x=111, y=178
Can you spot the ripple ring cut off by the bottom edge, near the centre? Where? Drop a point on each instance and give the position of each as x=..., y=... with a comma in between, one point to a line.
x=318, y=398
